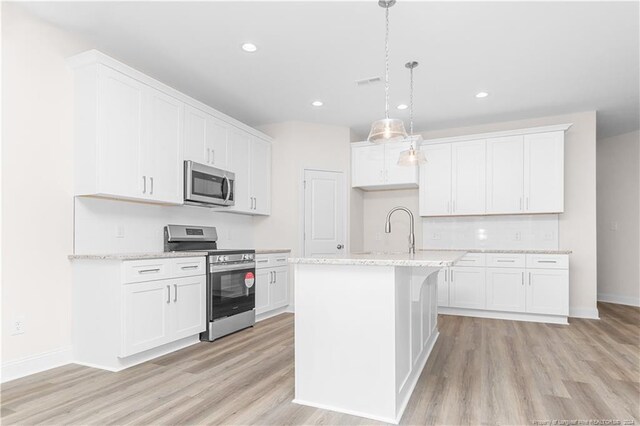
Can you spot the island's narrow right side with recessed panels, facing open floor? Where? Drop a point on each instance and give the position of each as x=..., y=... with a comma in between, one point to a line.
x=416, y=327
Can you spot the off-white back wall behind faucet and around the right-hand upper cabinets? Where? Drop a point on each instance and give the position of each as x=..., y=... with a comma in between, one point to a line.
x=577, y=225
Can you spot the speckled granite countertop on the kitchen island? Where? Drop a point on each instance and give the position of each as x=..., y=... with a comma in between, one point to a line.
x=421, y=258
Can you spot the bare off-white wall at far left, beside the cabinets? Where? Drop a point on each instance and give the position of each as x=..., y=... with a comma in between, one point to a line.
x=37, y=205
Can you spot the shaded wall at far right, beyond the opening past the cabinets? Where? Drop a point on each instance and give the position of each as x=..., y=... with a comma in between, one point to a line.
x=618, y=224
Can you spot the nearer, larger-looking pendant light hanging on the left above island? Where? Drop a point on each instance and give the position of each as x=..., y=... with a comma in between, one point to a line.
x=387, y=129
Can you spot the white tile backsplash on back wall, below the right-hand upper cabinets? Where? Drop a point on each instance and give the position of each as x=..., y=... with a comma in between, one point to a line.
x=536, y=232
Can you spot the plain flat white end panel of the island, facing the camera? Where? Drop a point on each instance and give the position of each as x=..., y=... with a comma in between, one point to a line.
x=345, y=339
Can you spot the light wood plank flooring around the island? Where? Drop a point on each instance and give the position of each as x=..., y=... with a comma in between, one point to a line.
x=481, y=372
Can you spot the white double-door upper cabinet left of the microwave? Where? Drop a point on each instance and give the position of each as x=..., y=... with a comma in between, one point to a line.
x=128, y=138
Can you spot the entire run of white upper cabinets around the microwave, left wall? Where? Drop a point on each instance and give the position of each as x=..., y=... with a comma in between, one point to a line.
x=133, y=133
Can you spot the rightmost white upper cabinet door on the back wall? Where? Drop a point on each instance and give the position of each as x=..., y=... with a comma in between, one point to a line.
x=544, y=172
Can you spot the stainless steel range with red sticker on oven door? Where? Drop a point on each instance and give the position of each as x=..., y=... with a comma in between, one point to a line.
x=230, y=279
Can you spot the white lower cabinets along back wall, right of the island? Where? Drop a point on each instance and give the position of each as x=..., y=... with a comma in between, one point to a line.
x=537, y=292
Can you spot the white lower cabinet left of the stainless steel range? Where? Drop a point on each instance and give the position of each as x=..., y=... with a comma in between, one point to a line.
x=126, y=312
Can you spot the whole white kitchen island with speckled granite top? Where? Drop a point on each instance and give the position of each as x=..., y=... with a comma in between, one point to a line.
x=364, y=328
